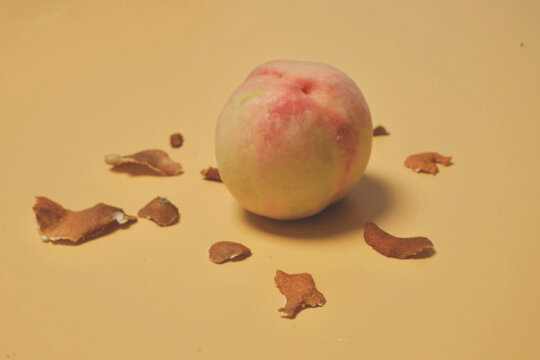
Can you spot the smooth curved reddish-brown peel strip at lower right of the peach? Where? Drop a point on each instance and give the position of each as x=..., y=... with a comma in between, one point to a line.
x=394, y=247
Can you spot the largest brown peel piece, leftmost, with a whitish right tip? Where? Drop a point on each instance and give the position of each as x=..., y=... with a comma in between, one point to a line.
x=57, y=223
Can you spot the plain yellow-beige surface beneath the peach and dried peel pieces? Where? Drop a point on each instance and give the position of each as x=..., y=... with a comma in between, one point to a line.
x=81, y=79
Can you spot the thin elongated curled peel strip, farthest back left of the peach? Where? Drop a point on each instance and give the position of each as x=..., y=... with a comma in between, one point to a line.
x=157, y=160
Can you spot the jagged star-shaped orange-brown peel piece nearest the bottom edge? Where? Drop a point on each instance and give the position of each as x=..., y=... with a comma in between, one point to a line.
x=299, y=291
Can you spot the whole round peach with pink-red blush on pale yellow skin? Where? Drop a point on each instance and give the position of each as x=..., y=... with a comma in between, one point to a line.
x=294, y=138
